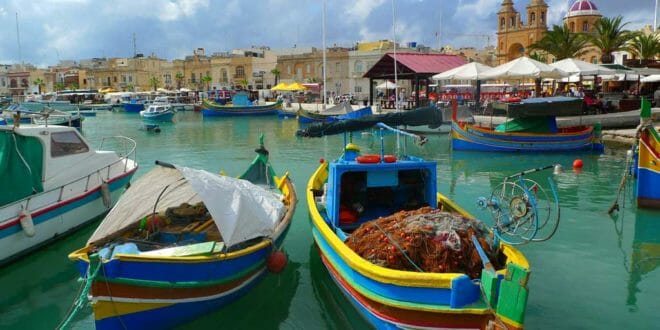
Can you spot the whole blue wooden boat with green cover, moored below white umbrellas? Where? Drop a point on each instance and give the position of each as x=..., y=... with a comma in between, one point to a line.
x=526, y=134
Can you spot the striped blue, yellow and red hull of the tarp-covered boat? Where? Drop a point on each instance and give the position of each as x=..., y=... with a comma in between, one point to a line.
x=141, y=291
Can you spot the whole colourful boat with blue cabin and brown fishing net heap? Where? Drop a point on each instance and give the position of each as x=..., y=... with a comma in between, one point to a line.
x=406, y=256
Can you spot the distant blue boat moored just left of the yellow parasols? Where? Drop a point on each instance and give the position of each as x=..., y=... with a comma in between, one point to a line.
x=241, y=106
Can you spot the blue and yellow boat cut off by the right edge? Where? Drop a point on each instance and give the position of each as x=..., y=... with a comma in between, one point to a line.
x=648, y=162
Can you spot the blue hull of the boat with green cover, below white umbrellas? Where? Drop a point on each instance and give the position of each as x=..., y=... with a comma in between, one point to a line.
x=469, y=137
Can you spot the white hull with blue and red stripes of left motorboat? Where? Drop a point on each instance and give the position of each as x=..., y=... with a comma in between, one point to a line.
x=53, y=218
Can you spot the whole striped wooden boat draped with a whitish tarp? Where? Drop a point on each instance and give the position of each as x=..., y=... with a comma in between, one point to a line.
x=156, y=261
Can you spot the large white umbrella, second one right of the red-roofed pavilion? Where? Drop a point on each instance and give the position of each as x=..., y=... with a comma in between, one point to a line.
x=523, y=67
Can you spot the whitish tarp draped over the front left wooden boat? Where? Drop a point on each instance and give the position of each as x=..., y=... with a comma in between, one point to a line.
x=240, y=209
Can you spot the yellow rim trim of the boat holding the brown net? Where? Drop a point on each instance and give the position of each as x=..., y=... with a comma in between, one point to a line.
x=378, y=273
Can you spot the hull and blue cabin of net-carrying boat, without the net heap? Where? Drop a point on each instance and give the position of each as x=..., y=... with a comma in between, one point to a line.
x=392, y=298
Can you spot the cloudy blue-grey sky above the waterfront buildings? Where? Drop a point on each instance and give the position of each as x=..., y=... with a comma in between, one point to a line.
x=53, y=30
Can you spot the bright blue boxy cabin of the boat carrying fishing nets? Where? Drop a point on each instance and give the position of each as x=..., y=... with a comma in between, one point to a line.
x=363, y=188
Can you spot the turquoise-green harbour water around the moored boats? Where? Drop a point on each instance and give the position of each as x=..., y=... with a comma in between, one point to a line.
x=597, y=272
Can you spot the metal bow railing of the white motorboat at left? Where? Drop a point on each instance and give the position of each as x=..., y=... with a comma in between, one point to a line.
x=103, y=174
